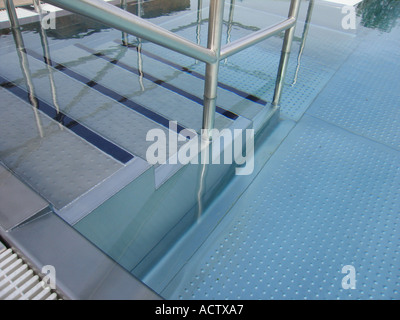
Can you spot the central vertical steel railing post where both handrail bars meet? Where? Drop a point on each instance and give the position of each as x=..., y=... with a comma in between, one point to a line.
x=211, y=78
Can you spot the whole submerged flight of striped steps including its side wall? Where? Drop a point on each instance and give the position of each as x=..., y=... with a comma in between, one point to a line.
x=127, y=212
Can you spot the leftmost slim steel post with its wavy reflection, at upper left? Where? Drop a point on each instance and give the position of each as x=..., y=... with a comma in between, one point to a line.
x=19, y=43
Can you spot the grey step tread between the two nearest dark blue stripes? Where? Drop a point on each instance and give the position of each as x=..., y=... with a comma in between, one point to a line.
x=107, y=117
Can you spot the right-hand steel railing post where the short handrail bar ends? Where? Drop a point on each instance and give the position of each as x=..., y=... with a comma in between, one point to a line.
x=287, y=45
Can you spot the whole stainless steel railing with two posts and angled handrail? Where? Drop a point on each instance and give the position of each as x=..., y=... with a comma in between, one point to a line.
x=124, y=21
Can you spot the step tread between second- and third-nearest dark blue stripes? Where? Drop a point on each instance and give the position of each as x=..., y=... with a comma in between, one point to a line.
x=170, y=103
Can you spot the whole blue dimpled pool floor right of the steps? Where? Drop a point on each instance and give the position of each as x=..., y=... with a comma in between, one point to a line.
x=328, y=198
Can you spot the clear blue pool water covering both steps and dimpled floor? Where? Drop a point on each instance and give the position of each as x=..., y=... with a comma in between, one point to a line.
x=324, y=193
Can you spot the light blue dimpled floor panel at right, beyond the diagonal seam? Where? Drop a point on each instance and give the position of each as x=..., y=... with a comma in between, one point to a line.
x=364, y=95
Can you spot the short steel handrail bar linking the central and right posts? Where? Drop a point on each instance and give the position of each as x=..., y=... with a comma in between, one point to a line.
x=256, y=37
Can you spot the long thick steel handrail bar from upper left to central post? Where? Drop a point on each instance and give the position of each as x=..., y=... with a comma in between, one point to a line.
x=122, y=20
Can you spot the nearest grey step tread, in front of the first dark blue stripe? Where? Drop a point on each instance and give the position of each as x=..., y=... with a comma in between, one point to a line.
x=54, y=161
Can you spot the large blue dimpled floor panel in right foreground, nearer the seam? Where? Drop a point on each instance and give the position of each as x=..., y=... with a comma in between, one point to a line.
x=318, y=205
